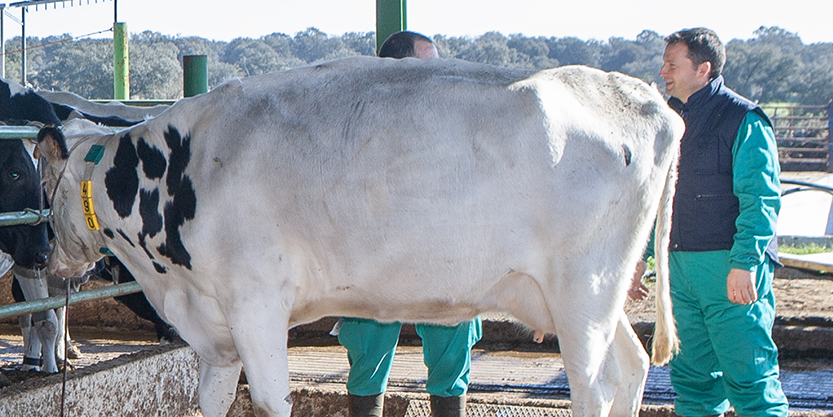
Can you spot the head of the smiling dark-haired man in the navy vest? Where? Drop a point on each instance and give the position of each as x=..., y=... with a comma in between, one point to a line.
x=692, y=59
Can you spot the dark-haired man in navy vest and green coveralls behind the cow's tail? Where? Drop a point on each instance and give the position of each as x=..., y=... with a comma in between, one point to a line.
x=723, y=247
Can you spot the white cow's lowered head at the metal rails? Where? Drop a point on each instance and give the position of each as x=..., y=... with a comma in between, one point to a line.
x=76, y=248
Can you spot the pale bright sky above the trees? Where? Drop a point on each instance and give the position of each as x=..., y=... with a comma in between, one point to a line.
x=584, y=19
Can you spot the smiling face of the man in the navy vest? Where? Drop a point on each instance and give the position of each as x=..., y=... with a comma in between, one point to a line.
x=682, y=77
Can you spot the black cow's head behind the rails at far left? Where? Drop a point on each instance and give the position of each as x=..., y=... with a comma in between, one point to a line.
x=20, y=190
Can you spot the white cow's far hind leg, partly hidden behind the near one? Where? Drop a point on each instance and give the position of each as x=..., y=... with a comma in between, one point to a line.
x=634, y=364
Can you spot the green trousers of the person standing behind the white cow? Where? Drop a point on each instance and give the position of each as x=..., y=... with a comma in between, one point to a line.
x=446, y=349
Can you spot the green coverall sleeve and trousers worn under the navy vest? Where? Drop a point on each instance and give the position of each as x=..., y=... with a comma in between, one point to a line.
x=726, y=350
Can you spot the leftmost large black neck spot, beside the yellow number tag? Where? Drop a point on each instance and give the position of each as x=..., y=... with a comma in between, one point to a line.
x=122, y=180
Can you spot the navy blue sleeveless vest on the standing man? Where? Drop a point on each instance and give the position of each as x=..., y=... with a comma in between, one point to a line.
x=705, y=207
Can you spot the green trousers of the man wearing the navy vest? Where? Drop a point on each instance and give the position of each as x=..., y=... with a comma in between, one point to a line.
x=727, y=355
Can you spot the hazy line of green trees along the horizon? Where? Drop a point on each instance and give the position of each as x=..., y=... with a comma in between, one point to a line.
x=773, y=66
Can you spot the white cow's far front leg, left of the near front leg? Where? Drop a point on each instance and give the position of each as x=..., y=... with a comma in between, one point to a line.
x=218, y=387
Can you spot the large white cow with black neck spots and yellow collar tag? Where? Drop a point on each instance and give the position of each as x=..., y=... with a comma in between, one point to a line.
x=409, y=190
